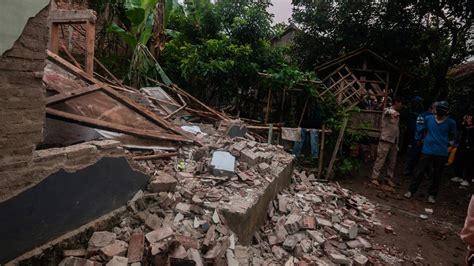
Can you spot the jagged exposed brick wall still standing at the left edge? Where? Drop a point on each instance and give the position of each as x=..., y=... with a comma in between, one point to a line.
x=22, y=110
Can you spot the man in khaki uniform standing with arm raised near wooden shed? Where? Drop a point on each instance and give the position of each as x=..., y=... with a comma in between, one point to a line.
x=388, y=144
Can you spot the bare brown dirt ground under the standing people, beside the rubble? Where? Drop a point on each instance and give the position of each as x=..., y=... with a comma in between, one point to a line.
x=434, y=241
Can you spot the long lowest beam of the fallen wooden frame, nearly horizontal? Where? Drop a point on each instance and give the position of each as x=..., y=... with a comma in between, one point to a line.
x=100, y=124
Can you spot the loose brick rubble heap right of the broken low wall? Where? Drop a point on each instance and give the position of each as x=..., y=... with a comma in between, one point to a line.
x=319, y=223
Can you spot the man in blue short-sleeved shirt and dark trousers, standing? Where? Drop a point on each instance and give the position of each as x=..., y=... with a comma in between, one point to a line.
x=439, y=129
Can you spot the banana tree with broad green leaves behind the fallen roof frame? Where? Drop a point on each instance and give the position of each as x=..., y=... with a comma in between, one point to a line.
x=141, y=14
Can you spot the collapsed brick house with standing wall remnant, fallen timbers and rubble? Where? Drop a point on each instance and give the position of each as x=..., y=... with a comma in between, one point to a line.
x=95, y=172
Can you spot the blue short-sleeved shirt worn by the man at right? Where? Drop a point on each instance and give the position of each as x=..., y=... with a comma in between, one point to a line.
x=437, y=137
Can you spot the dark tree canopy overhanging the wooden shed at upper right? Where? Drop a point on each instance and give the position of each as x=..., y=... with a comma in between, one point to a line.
x=423, y=37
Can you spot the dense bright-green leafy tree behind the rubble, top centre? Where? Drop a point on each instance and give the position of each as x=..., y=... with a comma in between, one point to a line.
x=219, y=48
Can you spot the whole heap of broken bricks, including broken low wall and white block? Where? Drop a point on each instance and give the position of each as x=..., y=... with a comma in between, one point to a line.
x=202, y=208
